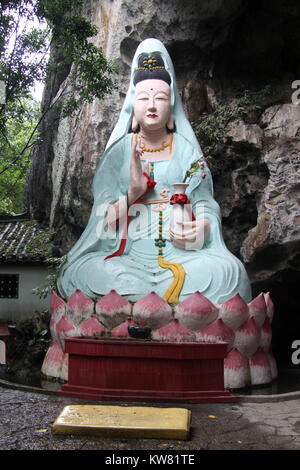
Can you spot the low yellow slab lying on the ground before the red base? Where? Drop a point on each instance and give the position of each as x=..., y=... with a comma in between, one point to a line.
x=124, y=421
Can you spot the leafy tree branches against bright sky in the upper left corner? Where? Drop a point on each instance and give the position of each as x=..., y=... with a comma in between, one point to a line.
x=30, y=27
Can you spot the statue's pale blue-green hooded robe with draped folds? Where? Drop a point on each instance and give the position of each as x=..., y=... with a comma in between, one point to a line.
x=213, y=270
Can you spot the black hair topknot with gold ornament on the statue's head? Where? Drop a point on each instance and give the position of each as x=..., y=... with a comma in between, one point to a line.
x=151, y=66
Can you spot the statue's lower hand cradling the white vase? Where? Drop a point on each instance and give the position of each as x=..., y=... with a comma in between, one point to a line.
x=191, y=235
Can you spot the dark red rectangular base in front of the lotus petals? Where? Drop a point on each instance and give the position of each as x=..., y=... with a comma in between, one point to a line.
x=130, y=370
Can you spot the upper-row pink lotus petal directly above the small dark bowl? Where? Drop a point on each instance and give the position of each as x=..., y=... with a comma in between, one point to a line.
x=152, y=311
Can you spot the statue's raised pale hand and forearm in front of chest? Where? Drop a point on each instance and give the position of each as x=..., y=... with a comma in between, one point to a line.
x=138, y=181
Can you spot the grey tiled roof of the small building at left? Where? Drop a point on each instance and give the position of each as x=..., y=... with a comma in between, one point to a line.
x=24, y=241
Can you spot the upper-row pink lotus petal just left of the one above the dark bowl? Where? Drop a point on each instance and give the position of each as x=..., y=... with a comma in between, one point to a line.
x=112, y=309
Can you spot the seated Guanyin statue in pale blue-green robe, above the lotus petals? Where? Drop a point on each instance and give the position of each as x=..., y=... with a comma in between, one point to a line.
x=133, y=242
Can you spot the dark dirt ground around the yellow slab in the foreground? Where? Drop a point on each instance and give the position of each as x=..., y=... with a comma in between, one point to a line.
x=26, y=420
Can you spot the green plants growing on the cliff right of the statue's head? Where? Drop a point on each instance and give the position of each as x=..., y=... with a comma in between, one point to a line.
x=212, y=128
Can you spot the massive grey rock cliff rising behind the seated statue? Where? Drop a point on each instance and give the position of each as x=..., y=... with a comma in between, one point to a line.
x=219, y=49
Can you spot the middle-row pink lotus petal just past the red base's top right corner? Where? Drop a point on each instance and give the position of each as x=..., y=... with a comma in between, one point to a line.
x=247, y=337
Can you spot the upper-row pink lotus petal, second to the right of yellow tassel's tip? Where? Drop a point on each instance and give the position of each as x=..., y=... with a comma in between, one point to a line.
x=234, y=312
